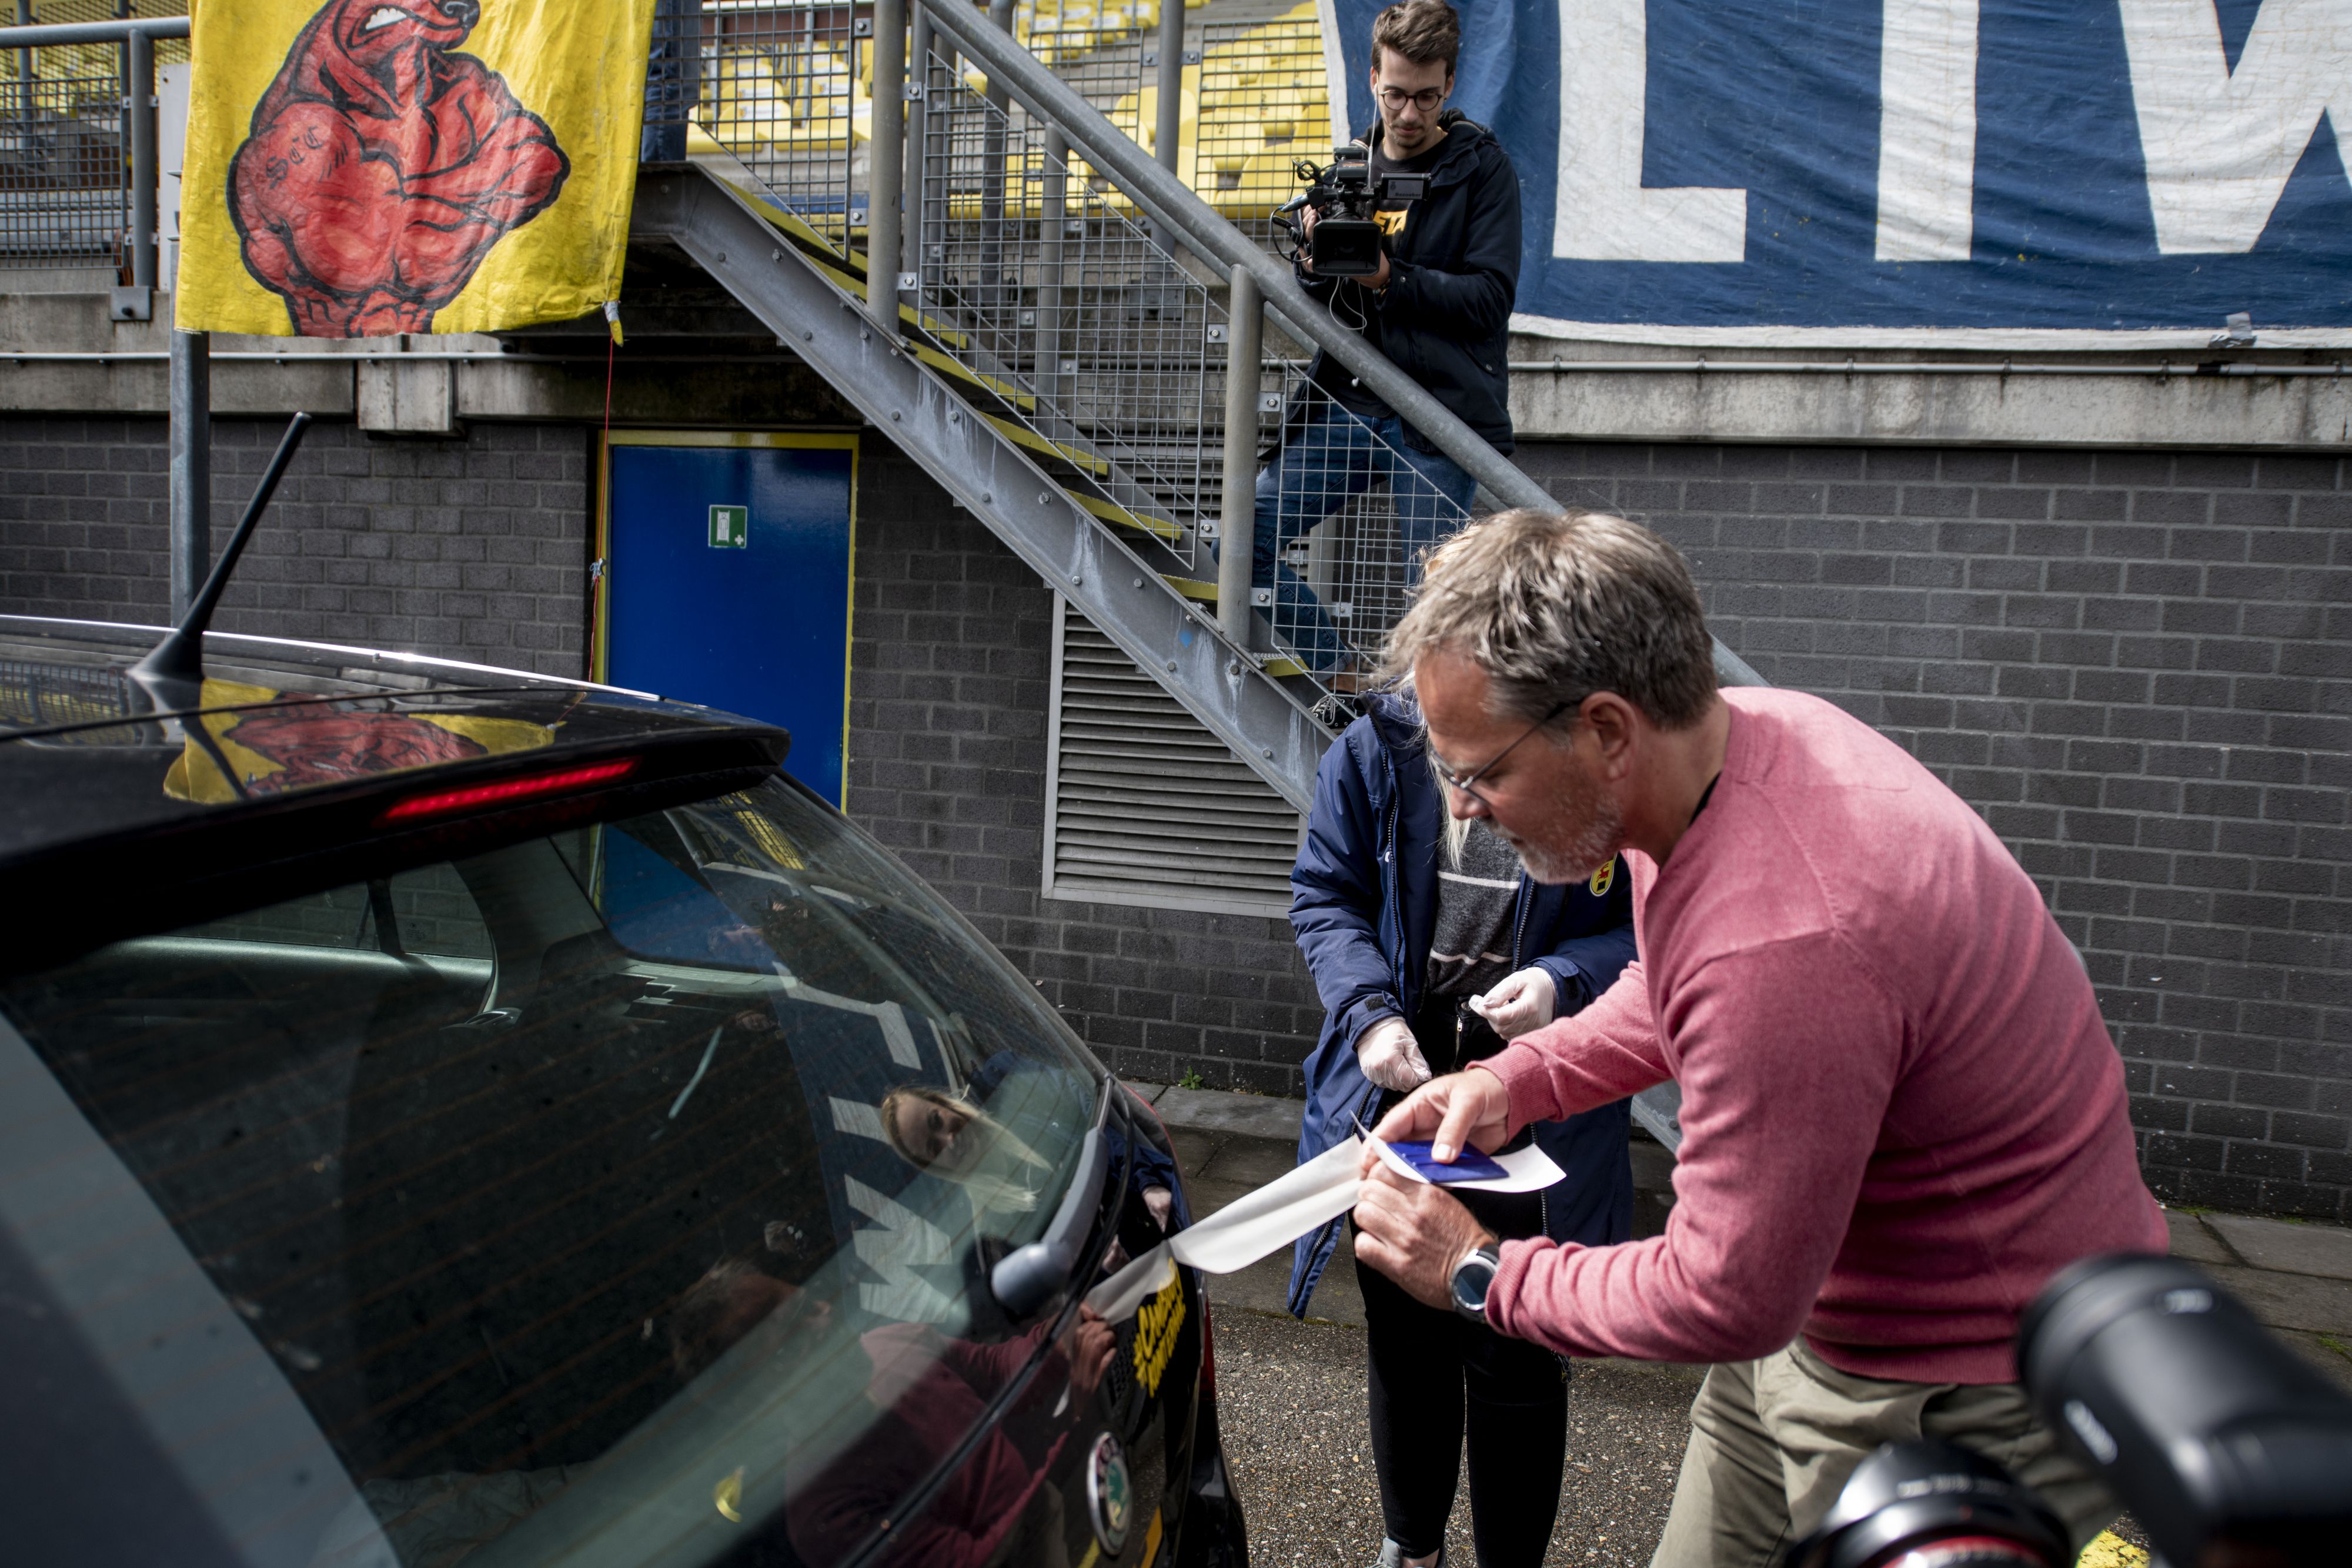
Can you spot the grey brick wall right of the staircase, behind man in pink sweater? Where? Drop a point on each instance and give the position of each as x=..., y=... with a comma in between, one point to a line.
x=2139, y=669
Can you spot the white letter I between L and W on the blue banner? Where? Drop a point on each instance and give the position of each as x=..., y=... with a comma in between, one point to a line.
x=1927, y=130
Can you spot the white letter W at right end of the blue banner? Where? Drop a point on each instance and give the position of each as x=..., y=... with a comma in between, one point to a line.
x=2221, y=142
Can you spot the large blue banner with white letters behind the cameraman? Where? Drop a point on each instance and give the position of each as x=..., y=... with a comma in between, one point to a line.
x=1984, y=170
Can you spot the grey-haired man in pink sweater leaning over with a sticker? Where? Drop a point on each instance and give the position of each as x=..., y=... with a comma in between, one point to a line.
x=1902, y=1111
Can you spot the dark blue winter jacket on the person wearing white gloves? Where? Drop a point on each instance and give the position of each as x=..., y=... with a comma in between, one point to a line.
x=1365, y=909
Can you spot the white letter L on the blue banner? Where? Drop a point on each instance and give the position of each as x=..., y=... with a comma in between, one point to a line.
x=1603, y=213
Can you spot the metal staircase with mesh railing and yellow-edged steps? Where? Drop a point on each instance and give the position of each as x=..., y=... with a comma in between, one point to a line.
x=1064, y=335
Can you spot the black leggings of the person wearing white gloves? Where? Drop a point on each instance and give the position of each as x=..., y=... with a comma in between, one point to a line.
x=1426, y=1367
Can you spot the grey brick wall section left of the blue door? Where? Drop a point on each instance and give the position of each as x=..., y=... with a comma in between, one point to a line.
x=469, y=549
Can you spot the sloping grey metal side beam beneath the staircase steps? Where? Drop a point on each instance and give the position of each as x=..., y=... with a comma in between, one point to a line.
x=989, y=476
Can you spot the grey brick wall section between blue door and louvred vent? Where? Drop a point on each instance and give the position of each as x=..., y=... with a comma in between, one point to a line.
x=951, y=657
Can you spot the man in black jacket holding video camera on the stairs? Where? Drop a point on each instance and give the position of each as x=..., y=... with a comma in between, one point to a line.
x=1438, y=307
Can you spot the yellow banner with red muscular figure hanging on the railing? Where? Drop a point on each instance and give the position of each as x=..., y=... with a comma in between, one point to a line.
x=436, y=166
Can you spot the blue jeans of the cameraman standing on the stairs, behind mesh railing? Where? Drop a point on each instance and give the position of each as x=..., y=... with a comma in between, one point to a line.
x=1330, y=460
